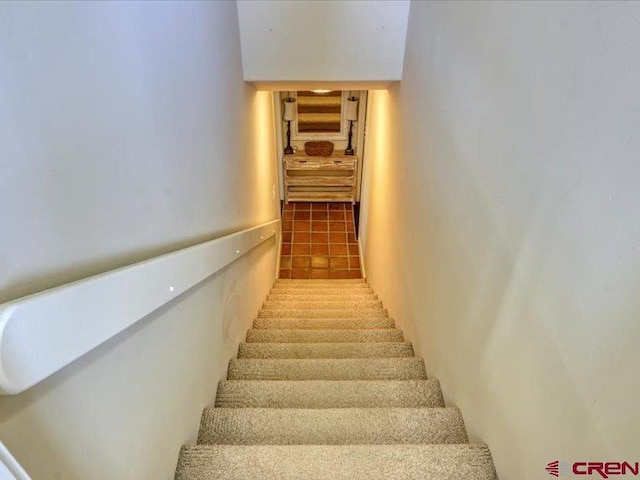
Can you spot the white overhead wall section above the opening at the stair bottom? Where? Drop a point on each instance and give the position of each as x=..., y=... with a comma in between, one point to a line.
x=307, y=40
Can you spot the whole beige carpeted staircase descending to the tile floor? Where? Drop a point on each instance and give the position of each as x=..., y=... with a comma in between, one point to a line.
x=326, y=387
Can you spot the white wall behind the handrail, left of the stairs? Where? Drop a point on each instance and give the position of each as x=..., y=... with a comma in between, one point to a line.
x=126, y=131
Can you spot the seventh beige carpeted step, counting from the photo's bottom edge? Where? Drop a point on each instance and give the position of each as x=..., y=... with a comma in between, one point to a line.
x=324, y=323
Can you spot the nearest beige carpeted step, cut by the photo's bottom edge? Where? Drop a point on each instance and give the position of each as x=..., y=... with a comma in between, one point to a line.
x=338, y=462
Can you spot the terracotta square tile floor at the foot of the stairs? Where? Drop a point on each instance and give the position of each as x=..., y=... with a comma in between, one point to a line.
x=319, y=241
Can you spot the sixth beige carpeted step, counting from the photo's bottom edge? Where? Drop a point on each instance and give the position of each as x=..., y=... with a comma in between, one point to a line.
x=323, y=336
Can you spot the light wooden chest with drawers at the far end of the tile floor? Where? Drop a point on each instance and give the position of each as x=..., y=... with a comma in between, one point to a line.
x=320, y=179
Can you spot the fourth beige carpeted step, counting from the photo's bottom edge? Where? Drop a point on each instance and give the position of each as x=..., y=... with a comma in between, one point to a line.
x=401, y=368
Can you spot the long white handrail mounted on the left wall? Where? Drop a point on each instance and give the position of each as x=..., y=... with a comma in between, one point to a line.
x=42, y=333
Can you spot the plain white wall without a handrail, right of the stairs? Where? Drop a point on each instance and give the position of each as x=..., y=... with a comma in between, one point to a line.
x=500, y=223
